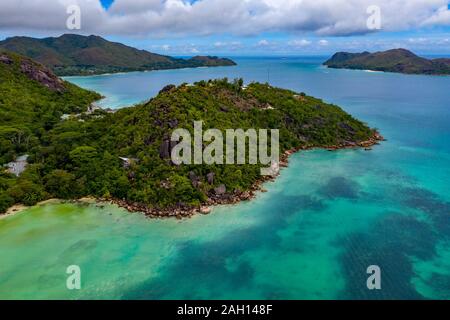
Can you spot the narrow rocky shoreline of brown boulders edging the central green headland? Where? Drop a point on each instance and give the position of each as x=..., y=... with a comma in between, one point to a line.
x=182, y=211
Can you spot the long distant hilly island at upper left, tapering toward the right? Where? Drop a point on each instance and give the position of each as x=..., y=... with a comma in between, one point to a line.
x=75, y=55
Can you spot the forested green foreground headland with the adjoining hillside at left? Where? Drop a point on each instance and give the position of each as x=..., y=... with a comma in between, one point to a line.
x=74, y=151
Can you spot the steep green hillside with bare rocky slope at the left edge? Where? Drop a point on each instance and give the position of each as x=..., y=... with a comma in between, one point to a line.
x=32, y=101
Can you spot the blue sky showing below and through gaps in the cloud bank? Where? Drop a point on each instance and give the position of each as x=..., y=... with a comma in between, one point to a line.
x=285, y=43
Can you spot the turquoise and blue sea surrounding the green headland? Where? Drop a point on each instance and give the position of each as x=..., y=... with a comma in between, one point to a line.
x=311, y=236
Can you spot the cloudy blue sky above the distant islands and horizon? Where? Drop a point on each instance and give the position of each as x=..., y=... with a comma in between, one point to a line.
x=242, y=27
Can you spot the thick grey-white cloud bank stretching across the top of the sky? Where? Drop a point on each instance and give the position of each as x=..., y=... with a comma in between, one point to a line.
x=162, y=18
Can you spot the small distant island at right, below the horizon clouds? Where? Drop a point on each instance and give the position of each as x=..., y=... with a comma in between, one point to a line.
x=396, y=60
